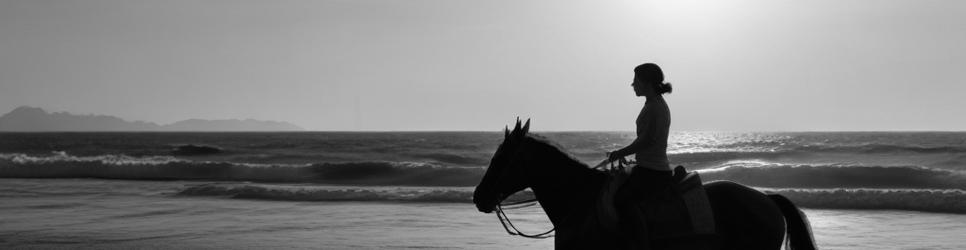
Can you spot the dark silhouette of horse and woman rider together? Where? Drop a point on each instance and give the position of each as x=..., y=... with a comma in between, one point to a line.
x=652, y=207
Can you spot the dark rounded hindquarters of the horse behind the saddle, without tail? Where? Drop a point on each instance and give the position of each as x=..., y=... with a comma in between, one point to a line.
x=746, y=218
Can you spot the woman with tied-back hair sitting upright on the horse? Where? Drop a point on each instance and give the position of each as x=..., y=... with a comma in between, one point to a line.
x=652, y=176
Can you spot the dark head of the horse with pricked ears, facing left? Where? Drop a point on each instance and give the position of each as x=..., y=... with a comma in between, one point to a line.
x=504, y=176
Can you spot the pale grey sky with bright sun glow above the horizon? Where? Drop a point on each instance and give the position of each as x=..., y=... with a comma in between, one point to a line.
x=399, y=65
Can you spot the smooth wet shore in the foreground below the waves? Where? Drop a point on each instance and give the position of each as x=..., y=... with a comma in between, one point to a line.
x=109, y=214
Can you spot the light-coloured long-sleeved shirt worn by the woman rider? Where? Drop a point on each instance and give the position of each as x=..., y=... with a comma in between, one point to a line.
x=652, y=129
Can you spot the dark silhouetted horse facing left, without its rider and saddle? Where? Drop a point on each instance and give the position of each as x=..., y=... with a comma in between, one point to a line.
x=568, y=190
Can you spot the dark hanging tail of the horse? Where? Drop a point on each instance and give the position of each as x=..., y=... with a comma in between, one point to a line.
x=799, y=236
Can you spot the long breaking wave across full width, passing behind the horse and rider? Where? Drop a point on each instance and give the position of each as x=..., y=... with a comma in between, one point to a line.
x=384, y=173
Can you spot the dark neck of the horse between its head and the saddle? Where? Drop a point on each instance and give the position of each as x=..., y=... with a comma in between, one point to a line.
x=563, y=185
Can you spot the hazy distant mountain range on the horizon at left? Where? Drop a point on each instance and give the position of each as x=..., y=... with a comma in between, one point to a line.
x=30, y=119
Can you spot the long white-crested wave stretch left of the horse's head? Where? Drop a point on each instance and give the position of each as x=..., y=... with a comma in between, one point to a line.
x=62, y=165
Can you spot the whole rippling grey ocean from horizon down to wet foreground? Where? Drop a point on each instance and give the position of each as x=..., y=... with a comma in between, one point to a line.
x=349, y=190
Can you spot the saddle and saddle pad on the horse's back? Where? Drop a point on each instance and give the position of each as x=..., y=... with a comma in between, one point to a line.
x=680, y=214
